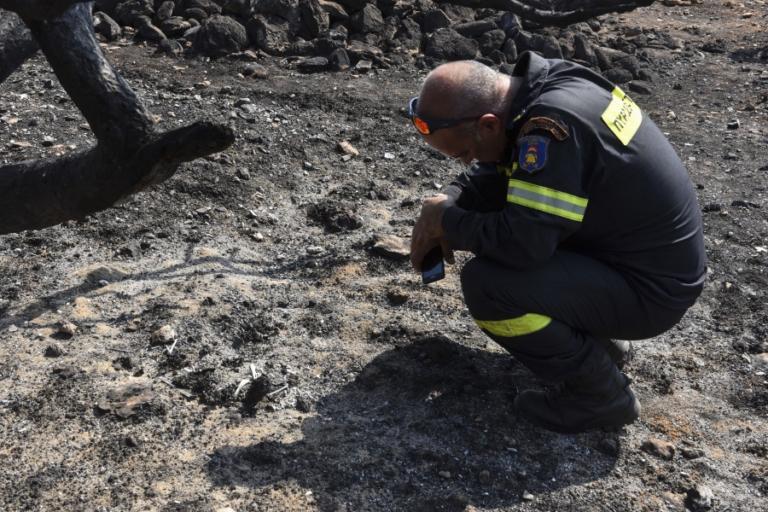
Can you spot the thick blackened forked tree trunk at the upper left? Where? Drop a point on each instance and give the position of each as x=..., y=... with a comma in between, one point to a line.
x=130, y=155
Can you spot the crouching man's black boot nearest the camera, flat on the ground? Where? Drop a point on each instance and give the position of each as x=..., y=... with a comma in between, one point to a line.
x=597, y=395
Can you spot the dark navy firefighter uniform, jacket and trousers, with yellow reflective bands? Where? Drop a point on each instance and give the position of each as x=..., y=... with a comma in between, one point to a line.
x=589, y=229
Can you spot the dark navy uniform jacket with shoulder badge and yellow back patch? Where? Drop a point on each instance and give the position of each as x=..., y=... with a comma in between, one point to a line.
x=589, y=172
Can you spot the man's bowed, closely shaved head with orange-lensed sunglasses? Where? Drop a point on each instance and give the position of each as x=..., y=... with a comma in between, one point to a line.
x=467, y=102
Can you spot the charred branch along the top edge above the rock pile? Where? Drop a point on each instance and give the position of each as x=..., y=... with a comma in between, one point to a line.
x=558, y=13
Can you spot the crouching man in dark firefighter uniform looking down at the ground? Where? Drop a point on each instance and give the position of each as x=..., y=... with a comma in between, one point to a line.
x=583, y=221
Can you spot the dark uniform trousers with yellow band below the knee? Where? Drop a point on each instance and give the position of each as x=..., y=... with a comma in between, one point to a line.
x=554, y=316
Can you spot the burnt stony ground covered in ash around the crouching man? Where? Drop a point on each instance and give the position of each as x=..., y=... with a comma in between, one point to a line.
x=372, y=392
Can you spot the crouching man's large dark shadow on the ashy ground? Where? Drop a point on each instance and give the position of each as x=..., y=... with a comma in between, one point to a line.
x=427, y=426
